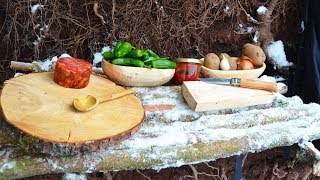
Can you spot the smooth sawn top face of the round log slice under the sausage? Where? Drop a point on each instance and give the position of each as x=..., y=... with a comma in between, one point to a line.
x=36, y=105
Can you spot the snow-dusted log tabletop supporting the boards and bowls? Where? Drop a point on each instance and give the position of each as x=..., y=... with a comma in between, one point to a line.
x=175, y=135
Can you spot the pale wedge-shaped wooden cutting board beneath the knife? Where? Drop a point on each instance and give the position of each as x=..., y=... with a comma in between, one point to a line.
x=203, y=96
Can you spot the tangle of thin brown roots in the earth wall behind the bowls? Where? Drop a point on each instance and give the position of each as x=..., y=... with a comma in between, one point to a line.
x=171, y=28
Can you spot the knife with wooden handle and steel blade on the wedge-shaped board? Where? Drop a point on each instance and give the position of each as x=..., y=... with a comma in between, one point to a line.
x=245, y=83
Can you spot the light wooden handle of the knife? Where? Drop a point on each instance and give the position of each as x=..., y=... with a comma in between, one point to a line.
x=256, y=84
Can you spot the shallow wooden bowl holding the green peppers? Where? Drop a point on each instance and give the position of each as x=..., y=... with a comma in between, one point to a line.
x=135, y=76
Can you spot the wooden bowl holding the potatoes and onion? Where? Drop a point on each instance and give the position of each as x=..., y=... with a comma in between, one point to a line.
x=249, y=74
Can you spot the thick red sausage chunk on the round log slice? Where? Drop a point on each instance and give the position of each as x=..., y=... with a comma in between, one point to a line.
x=72, y=73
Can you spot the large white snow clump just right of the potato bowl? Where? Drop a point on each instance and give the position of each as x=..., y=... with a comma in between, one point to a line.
x=277, y=54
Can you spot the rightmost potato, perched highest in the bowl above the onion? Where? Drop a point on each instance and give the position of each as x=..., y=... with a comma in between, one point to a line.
x=255, y=53
